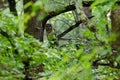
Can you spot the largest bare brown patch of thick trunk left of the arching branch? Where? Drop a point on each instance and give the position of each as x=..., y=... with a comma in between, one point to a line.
x=35, y=28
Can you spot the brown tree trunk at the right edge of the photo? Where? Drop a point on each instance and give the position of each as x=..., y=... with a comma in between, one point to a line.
x=115, y=17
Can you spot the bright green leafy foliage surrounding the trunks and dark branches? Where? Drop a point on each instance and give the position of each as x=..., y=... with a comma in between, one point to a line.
x=73, y=59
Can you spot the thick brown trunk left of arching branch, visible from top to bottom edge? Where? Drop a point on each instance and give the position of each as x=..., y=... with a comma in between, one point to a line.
x=36, y=29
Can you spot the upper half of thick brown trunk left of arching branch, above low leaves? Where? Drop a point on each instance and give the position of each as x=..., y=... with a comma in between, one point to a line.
x=34, y=27
